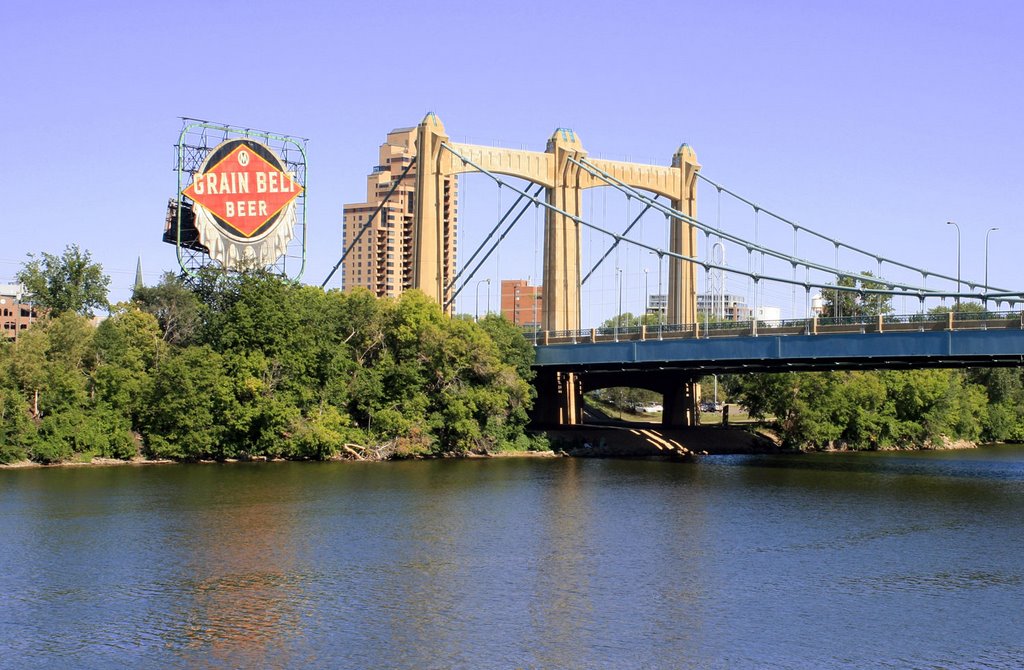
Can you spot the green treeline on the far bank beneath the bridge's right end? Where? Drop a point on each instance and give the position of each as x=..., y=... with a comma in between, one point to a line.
x=886, y=409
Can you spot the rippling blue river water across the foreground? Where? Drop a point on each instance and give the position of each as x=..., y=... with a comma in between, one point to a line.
x=836, y=561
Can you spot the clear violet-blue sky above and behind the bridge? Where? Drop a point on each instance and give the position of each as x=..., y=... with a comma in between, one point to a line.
x=873, y=122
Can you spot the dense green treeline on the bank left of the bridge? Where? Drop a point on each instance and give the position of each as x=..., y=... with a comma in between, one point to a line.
x=251, y=366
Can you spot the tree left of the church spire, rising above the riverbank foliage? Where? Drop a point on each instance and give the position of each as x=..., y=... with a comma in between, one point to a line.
x=67, y=283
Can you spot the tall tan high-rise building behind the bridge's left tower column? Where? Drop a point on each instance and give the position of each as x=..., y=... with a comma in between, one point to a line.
x=381, y=259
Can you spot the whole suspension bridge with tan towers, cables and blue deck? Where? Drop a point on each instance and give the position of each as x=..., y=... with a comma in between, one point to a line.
x=671, y=352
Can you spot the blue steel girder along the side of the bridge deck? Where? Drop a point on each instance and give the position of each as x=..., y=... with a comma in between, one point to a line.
x=1003, y=347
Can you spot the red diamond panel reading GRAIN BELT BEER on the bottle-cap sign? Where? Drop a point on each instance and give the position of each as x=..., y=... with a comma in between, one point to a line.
x=243, y=190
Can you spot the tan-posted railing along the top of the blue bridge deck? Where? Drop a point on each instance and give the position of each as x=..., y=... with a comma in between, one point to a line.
x=815, y=326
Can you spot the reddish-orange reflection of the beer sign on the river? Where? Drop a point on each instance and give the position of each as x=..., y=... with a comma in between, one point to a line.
x=241, y=593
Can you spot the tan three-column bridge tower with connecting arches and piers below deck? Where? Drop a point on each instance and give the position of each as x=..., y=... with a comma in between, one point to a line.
x=560, y=171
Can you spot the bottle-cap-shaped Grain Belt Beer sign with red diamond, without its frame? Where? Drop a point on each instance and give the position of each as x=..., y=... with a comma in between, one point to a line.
x=245, y=204
